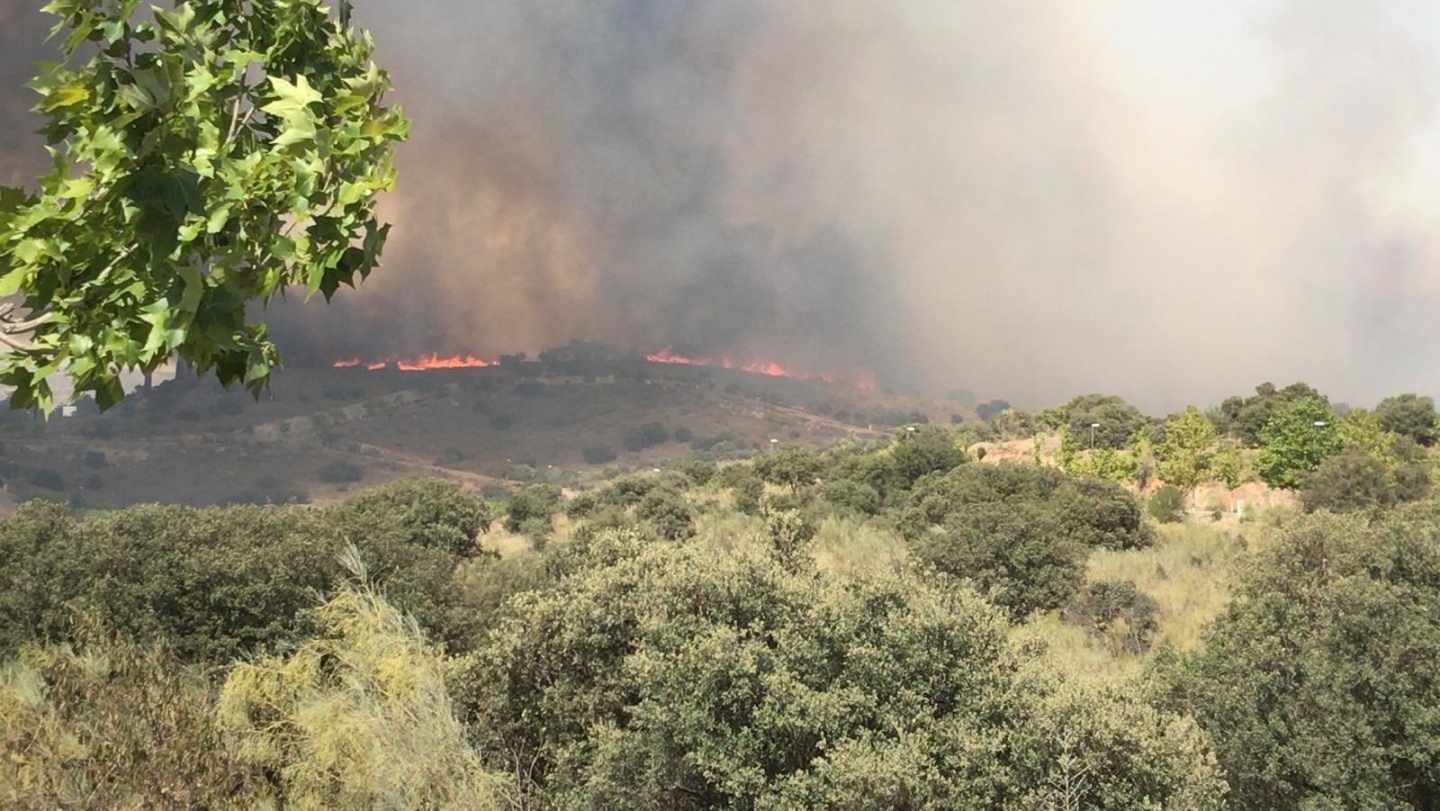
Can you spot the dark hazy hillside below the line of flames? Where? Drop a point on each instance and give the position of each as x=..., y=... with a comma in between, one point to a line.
x=320, y=433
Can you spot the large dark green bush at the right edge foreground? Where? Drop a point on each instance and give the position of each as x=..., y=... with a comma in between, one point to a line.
x=1308, y=684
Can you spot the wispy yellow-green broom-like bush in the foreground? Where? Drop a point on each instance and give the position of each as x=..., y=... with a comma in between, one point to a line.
x=358, y=718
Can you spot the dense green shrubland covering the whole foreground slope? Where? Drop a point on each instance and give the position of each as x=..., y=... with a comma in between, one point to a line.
x=872, y=626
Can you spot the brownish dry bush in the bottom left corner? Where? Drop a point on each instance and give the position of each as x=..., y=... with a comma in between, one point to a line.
x=84, y=730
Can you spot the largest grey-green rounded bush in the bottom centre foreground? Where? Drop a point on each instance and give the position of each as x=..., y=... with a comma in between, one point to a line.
x=698, y=679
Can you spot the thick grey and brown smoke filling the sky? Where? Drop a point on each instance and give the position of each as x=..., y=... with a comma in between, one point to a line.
x=1027, y=200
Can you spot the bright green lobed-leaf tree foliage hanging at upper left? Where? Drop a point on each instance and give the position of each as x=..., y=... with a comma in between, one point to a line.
x=205, y=156
